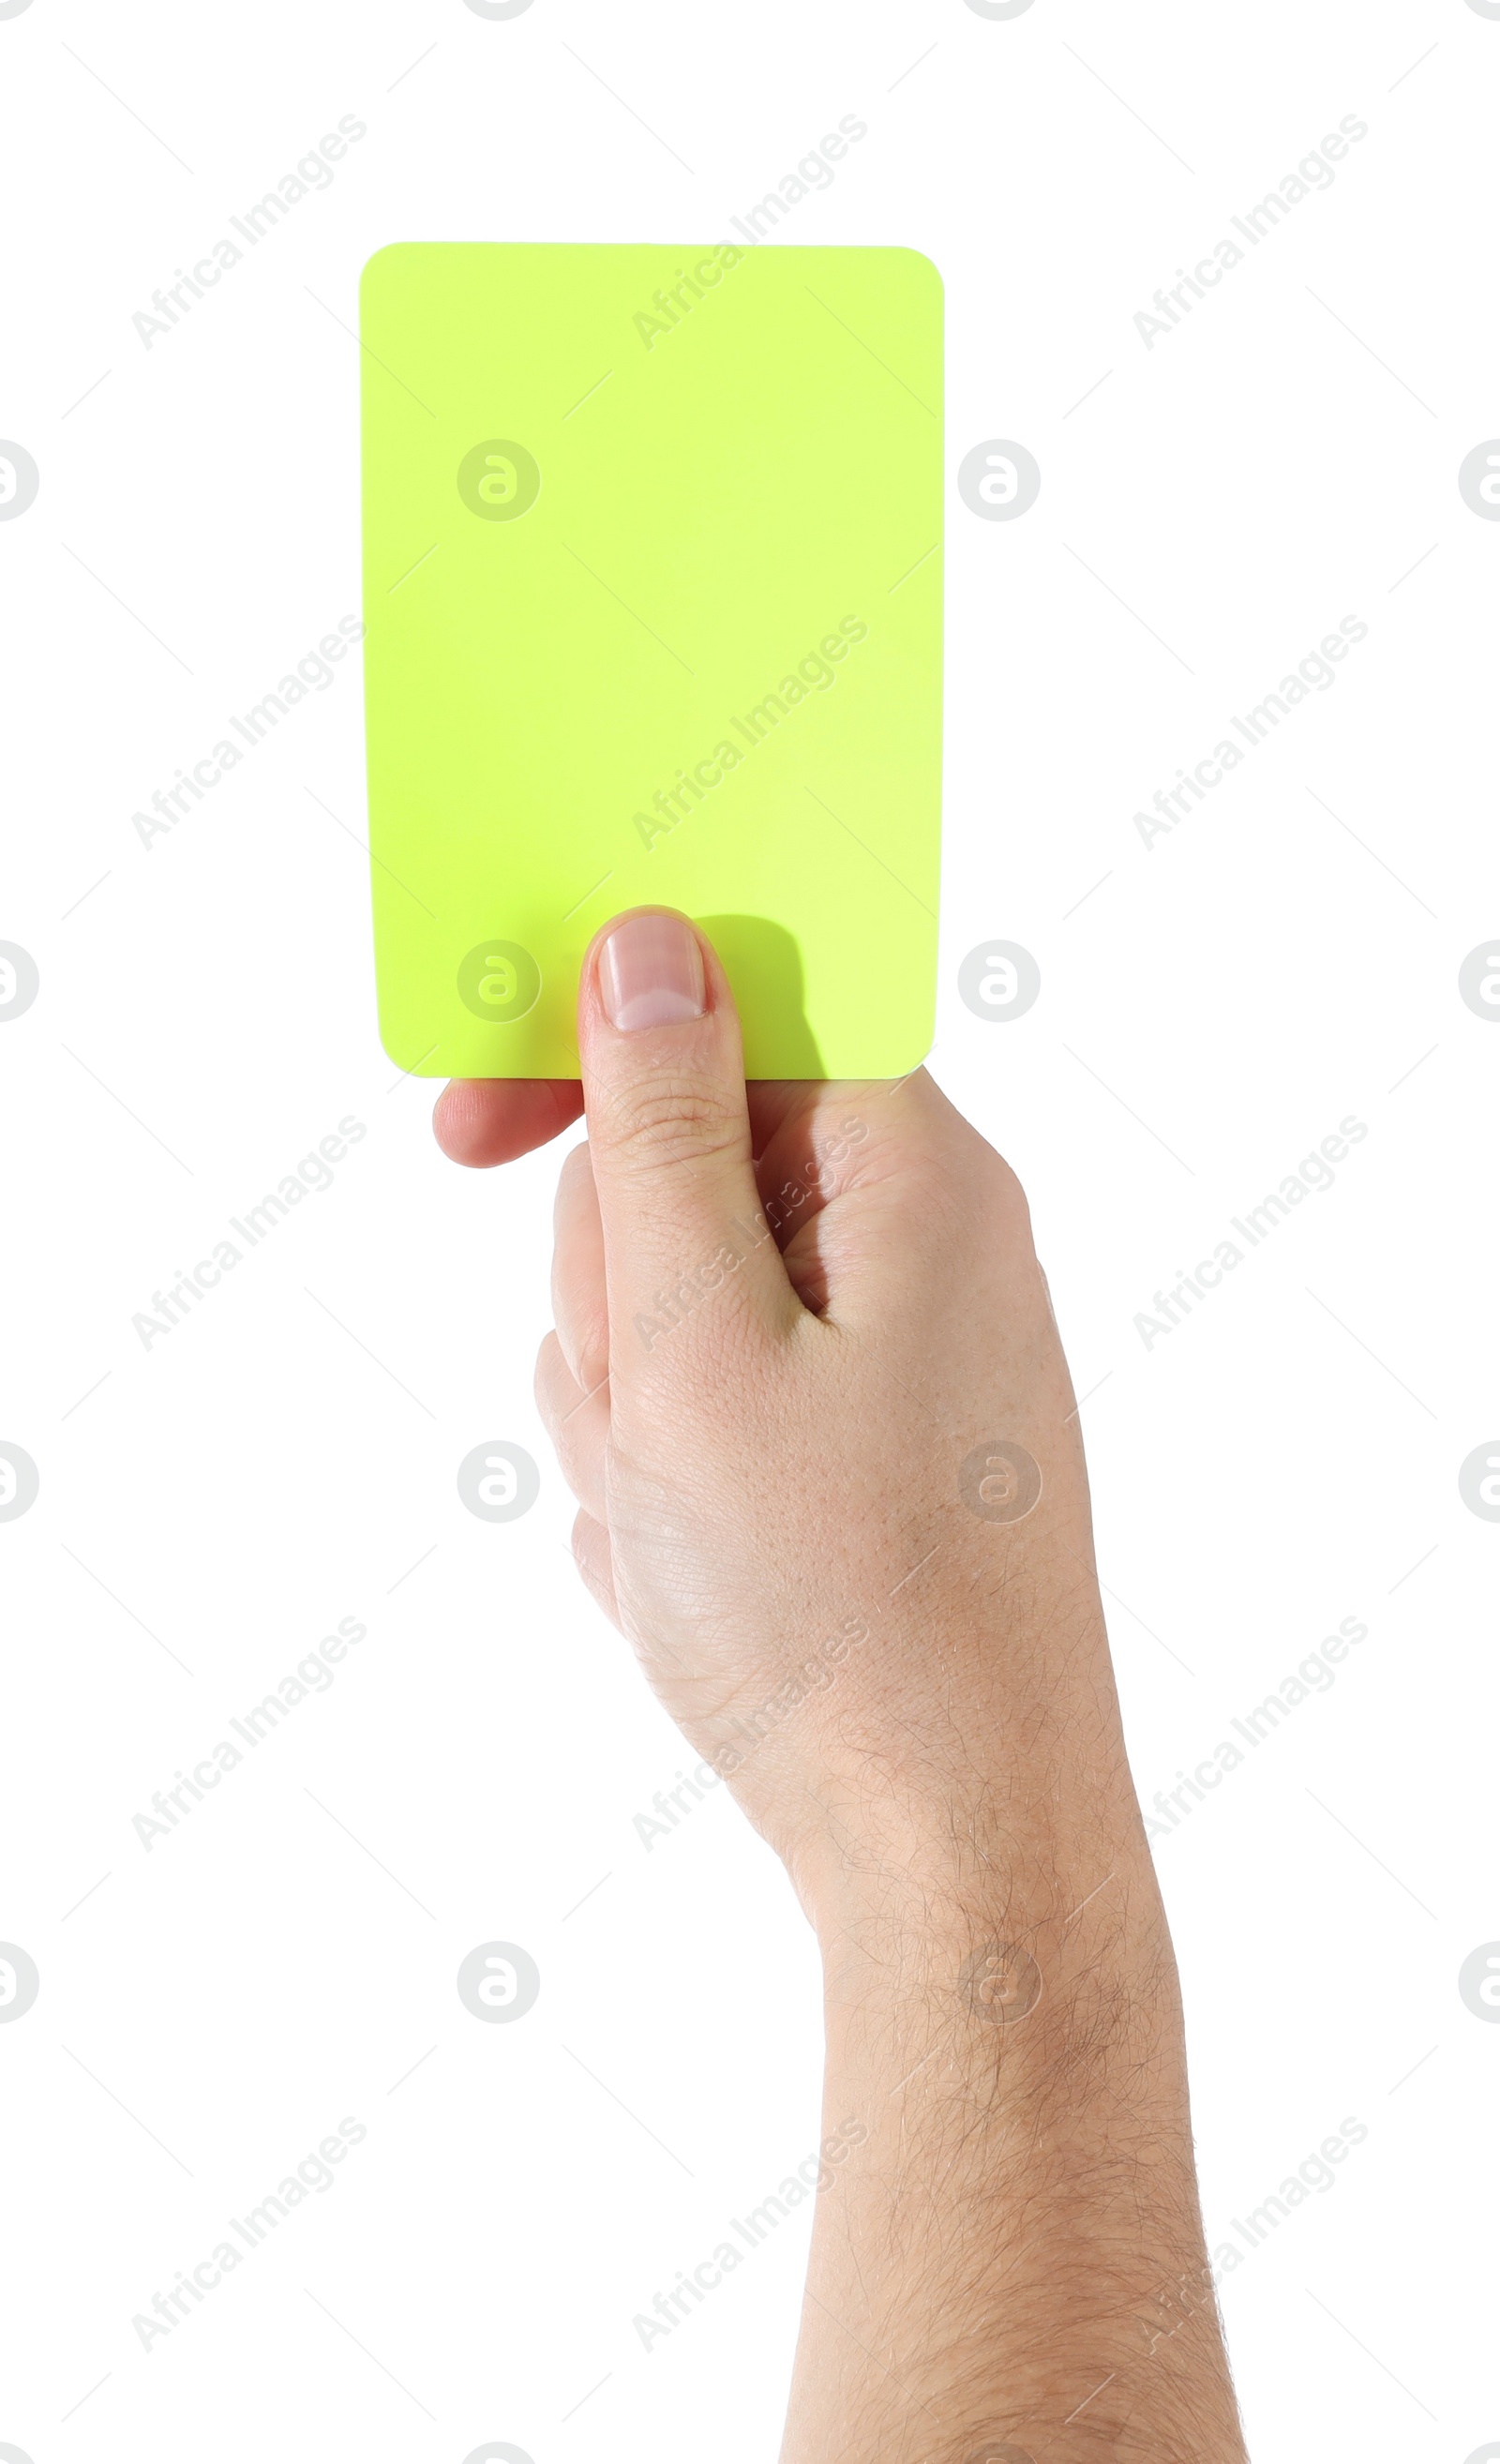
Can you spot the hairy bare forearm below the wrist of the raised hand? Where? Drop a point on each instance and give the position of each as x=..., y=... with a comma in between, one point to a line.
x=1011, y=2258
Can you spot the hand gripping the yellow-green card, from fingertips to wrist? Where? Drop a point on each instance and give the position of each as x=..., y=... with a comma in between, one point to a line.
x=787, y=1324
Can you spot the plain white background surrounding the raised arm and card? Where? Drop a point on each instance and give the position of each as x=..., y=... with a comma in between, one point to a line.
x=1211, y=1009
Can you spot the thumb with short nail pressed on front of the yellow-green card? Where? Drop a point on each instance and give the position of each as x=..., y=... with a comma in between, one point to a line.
x=669, y=1132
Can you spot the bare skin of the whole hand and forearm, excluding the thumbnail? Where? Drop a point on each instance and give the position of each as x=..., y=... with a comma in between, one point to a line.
x=787, y=1317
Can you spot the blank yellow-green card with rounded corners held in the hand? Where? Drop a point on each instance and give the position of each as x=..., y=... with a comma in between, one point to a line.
x=654, y=617
